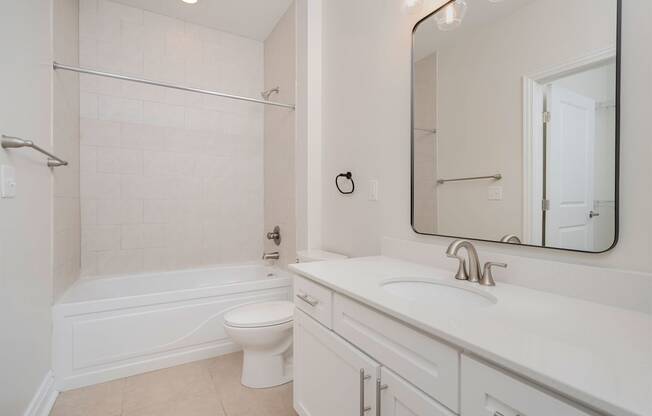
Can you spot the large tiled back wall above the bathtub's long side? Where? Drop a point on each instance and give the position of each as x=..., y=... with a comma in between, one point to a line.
x=169, y=179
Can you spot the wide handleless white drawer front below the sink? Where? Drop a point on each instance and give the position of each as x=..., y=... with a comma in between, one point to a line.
x=425, y=362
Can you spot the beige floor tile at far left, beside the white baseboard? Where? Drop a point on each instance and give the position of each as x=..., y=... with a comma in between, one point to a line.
x=99, y=400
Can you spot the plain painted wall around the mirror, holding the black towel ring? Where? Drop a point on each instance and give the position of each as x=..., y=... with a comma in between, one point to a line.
x=366, y=76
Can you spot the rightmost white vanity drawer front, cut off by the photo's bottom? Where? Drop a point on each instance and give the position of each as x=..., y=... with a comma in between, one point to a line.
x=490, y=392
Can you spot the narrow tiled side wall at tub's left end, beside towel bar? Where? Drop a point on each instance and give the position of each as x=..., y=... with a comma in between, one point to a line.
x=65, y=135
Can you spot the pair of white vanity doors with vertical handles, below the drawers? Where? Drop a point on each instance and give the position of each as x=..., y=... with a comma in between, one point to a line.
x=332, y=377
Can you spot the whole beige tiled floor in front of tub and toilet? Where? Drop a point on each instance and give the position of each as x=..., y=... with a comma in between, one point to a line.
x=204, y=388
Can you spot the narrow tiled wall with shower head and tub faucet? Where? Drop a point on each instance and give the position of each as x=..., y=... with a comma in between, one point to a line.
x=280, y=135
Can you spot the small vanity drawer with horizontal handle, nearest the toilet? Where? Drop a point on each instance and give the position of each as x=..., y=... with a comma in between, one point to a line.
x=314, y=299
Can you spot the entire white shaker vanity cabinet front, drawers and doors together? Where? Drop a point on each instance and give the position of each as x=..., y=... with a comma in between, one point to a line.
x=352, y=360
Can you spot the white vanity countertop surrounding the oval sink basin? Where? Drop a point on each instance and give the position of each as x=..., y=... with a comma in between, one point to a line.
x=598, y=355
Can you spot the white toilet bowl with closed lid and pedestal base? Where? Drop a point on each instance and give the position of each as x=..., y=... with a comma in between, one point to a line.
x=264, y=331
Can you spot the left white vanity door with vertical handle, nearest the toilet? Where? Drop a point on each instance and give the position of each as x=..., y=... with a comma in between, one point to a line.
x=331, y=377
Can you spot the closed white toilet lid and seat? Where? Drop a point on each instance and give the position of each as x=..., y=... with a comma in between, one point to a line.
x=260, y=314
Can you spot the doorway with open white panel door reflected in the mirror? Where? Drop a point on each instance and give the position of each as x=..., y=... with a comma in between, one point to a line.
x=570, y=175
